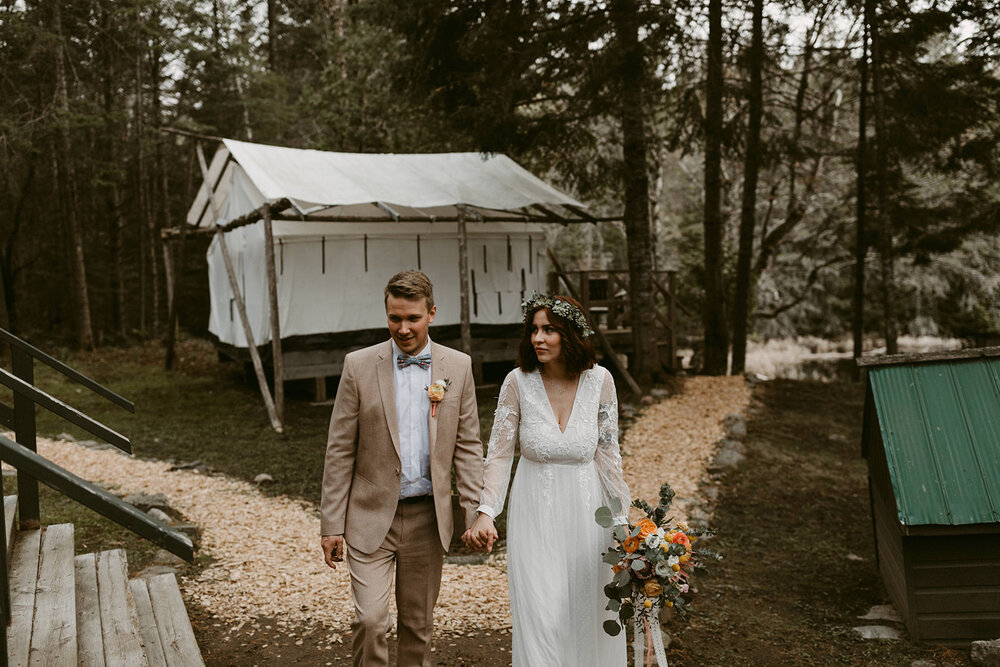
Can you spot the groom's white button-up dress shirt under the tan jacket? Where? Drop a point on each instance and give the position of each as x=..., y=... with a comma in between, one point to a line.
x=412, y=414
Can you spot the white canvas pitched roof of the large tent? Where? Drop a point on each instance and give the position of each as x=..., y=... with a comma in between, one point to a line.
x=369, y=186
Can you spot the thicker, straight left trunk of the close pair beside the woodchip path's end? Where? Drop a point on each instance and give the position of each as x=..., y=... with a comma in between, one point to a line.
x=714, y=309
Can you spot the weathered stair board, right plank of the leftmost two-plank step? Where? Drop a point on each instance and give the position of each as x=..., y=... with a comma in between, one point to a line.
x=53, y=634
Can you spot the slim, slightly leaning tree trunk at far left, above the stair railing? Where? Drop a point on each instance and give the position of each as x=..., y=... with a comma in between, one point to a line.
x=85, y=334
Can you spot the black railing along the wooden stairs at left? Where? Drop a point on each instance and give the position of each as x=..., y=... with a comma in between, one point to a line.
x=32, y=468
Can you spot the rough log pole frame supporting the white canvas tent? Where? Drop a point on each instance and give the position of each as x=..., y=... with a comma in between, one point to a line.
x=269, y=212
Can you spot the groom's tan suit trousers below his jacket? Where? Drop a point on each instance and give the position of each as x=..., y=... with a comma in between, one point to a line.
x=413, y=549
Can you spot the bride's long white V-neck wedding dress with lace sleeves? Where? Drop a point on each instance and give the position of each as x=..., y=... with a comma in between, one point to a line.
x=554, y=568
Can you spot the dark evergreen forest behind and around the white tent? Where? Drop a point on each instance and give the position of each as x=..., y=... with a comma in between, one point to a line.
x=807, y=167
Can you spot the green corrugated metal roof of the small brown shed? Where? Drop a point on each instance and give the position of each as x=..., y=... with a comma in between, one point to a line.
x=940, y=424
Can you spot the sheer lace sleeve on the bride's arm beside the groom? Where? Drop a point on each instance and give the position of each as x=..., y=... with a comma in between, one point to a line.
x=500, y=451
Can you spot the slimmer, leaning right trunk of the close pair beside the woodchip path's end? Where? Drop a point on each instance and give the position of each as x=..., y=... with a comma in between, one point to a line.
x=751, y=170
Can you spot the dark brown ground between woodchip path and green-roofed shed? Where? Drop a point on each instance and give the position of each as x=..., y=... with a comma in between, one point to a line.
x=786, y=592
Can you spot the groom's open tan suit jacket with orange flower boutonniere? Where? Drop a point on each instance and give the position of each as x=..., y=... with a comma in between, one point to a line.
x=361, y=477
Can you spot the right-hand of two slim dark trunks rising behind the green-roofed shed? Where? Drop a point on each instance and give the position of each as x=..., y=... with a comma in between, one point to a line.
x=882, y=187
